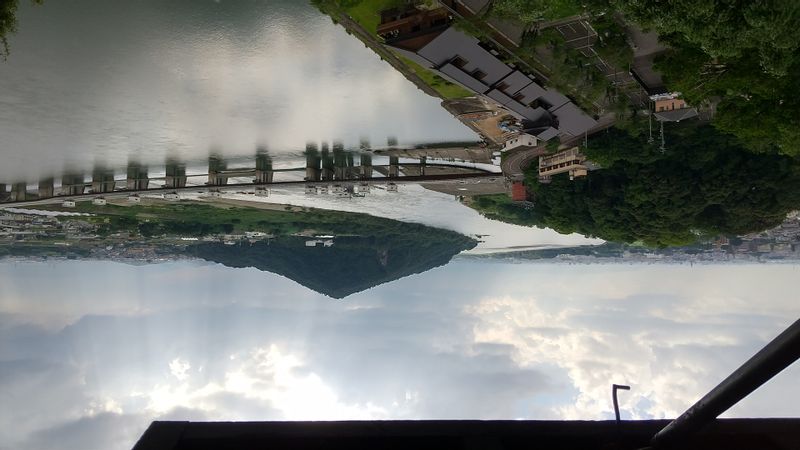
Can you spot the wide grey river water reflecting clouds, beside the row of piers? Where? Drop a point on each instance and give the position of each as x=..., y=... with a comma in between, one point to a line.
x=93, y=81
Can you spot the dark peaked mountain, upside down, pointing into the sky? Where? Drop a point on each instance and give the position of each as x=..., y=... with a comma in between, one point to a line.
x=352, y=264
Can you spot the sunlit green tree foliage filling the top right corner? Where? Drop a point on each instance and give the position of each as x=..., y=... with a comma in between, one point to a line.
x=740, y=53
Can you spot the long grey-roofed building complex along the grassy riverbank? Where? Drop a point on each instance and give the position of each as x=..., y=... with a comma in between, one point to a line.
x=466, y=61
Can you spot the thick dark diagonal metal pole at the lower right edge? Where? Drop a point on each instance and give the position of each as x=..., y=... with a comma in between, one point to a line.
x=768, y=362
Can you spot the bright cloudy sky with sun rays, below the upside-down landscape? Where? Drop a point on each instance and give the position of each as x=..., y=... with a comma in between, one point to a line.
x=91, y=356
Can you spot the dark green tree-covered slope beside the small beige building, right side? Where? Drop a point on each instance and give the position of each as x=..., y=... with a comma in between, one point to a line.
x=704, y=184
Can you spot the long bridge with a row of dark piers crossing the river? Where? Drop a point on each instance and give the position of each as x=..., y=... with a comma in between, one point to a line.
x=322, y=167
